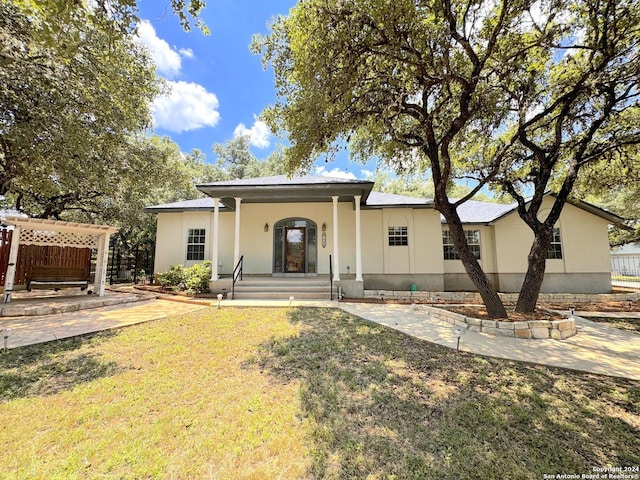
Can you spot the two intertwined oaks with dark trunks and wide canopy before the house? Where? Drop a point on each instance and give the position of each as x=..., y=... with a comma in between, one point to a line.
x=517, y=94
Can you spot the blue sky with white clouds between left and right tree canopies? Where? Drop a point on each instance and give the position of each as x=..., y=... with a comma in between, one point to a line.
x=218, y=87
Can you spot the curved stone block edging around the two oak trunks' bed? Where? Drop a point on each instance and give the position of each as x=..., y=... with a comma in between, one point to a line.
x=534, y=329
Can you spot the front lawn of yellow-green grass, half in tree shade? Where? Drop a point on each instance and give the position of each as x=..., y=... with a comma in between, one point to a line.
x=299, y=393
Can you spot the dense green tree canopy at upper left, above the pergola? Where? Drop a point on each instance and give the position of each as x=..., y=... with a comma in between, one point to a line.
x=69, y=112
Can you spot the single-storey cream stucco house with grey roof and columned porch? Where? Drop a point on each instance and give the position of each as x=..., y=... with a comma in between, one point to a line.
x=290, y=228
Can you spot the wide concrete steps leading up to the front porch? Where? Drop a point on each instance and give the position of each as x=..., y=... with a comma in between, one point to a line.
x=282, y=288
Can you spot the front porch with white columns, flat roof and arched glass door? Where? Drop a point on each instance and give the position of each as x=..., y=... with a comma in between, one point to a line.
x=291, y=240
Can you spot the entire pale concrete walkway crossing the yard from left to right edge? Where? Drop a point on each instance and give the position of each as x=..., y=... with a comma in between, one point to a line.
x=597, y=348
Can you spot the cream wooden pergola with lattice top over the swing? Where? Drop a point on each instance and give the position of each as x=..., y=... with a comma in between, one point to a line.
x=36, y=231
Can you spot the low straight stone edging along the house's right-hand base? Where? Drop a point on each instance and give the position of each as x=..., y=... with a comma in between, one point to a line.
x=471, y=297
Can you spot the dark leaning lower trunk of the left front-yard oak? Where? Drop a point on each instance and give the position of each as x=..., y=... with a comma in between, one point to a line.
x=493, y=303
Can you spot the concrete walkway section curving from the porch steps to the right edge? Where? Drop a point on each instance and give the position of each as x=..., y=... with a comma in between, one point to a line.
x=596, y=348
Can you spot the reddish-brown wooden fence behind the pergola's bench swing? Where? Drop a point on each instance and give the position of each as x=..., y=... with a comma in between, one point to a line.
x=30, y=256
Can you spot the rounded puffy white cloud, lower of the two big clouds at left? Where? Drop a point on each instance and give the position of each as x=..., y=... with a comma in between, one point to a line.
x=188, y=106
